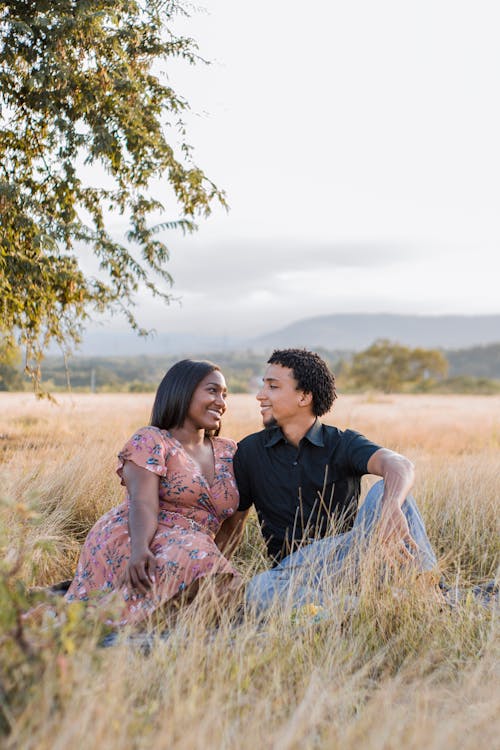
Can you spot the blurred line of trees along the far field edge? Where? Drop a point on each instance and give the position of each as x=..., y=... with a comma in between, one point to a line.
x=384, y=366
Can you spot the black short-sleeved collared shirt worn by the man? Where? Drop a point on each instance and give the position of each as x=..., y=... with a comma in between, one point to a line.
x=298, y=491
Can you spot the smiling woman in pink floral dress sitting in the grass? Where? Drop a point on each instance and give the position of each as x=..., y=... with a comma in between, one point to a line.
x=178, y=515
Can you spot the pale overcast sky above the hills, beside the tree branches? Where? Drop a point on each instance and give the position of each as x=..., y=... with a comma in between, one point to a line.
x=358, y=143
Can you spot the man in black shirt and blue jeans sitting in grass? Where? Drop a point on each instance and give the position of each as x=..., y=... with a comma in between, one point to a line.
x=304, y=476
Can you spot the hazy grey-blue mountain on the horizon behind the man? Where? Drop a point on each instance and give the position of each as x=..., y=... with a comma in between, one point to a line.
x=359, y=330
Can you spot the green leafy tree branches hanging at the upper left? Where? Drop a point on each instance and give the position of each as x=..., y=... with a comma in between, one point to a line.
x=79, y=86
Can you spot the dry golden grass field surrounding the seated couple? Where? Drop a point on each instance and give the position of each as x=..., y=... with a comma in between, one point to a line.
x=401, y=670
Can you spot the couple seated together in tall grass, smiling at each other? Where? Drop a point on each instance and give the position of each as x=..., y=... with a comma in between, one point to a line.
x=189, y=492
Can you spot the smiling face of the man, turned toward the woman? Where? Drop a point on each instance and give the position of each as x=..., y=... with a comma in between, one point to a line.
x=280, y=401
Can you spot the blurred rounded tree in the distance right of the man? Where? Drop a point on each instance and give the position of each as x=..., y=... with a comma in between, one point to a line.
x=390, y=367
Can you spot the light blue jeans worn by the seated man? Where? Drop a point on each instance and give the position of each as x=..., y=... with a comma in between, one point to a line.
x=299, y=578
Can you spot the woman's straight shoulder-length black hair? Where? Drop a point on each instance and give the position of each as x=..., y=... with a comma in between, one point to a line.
x=175, y=392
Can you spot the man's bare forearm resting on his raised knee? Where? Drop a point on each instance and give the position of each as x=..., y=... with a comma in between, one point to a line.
x=398, y=474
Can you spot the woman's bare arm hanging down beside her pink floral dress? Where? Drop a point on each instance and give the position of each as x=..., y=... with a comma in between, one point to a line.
x=143, y=489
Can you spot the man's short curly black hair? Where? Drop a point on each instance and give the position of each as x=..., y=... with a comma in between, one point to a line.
x=312, y=376
